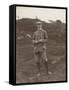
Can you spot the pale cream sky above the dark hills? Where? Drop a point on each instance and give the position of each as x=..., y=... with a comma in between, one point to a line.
x=44, y=14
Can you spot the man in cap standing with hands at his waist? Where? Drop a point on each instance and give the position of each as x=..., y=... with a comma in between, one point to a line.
x=40, y=38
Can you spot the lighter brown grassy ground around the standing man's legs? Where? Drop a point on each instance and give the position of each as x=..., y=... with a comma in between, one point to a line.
x=26, y=71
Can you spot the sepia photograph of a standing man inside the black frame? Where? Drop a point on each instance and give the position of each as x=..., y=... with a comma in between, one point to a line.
x=40, y=44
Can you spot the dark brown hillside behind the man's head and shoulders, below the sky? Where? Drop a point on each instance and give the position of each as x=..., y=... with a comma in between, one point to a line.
x=55, y=30
